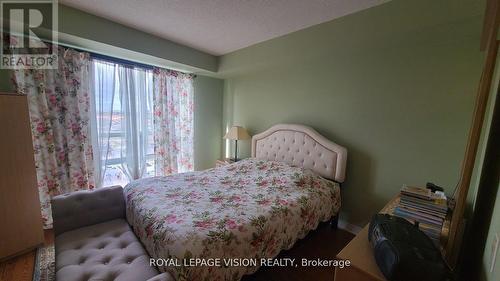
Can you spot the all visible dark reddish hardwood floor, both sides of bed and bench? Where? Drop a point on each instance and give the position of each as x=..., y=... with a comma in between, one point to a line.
x=323, y=243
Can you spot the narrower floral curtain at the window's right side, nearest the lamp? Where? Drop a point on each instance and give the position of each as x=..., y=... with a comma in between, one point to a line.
x=173, y=121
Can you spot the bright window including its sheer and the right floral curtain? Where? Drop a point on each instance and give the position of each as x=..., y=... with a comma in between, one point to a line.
x=142, y=122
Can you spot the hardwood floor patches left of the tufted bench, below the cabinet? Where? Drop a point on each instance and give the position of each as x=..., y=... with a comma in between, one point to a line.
x=20, y=268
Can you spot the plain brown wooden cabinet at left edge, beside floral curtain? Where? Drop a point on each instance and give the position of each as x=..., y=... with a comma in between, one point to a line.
x=20, y=216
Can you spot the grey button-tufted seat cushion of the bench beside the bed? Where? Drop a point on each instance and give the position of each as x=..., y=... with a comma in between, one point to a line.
x=104, y=251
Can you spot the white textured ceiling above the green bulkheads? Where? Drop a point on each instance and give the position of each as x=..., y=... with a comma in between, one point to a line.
x=220, y=26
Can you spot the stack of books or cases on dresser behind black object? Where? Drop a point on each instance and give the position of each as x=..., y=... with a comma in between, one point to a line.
x=429, y=209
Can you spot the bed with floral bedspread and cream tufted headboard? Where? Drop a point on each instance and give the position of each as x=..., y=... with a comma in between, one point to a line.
x=250, y=209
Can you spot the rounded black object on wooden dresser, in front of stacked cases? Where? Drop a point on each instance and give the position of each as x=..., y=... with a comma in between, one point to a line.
x=403, y=252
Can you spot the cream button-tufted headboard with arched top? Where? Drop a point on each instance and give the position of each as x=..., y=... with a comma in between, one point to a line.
x=301, y=146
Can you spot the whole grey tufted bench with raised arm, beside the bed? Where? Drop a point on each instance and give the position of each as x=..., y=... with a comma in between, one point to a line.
x=94, y=241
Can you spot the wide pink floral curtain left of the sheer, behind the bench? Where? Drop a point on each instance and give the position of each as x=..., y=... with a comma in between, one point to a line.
x=58, y=103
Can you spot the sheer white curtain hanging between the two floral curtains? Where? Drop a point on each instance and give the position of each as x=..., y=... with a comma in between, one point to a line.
x=123, y=127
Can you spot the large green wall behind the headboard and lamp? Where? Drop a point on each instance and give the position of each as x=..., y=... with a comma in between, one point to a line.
x=395, y=84
